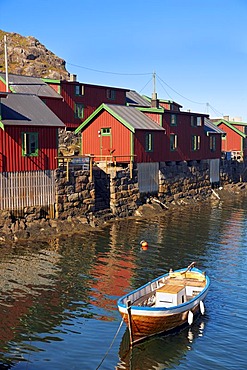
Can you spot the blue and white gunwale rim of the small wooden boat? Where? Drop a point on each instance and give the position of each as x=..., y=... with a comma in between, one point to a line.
x=123, y=306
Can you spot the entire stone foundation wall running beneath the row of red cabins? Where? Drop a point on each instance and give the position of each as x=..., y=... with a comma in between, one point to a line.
x=116, y=194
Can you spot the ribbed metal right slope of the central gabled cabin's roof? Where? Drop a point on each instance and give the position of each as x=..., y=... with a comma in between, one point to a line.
x=133, y=117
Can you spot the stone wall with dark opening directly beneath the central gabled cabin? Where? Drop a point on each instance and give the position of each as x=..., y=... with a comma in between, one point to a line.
x=109, y=195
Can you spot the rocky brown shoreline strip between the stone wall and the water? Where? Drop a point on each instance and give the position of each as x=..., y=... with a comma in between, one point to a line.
x=31, y=231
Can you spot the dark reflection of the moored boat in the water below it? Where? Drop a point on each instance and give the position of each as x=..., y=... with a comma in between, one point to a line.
x=159, y=352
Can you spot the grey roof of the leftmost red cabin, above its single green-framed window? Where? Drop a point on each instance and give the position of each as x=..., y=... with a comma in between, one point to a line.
x=25, y=109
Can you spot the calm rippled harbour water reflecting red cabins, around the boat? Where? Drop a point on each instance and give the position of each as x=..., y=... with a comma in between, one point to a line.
x=58, y=302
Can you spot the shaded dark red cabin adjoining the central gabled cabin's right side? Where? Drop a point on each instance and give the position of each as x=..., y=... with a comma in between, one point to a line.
x=189, y=136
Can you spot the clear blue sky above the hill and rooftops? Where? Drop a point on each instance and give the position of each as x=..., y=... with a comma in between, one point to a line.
x=197, y=48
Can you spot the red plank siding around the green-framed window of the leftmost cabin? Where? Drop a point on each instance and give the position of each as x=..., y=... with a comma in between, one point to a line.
x=11, y=158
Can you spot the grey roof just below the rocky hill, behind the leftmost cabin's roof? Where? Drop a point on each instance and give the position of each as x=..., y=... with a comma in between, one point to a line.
x=30, y=85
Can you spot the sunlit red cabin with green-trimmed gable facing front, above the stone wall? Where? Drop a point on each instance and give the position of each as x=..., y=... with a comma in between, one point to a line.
x=122, y=131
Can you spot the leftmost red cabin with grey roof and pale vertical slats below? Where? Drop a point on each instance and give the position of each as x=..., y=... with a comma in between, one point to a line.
x=28, y=151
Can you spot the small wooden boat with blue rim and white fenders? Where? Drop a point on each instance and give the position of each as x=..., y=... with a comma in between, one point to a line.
x=165, y=303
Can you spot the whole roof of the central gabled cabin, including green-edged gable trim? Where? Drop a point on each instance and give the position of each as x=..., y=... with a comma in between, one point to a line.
x=130, y=117
